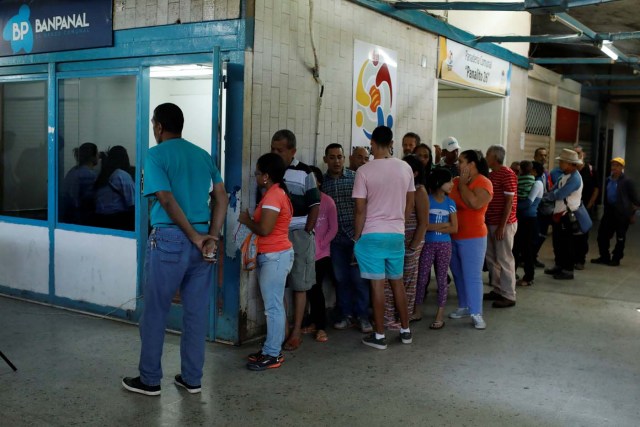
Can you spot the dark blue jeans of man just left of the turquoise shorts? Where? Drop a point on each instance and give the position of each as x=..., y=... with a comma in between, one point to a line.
x=352, y=291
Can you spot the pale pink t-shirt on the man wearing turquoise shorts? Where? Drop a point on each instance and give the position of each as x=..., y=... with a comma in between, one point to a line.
x=385, y=184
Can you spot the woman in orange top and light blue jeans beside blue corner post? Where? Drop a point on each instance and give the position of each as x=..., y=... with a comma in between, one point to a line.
x=275, y=255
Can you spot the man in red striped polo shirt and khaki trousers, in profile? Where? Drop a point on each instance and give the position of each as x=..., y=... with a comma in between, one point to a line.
x=502, y=224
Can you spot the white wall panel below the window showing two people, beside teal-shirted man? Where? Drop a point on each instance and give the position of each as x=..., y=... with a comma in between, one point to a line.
x=94, y=268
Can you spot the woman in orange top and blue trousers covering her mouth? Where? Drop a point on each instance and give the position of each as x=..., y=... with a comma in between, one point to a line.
x=472, y=192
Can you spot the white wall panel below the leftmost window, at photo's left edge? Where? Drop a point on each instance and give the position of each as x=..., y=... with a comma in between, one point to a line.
x=24, y=257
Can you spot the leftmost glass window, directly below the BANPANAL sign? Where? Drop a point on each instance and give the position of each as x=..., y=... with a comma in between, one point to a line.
x=23, y=149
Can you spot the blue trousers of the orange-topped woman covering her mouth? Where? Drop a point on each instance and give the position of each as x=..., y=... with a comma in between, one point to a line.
x=467, y=258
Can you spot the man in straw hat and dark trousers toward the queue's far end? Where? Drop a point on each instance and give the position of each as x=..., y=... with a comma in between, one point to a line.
x=567, y=193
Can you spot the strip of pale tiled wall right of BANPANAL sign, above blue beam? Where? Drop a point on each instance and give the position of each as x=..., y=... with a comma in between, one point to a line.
x=147, y=13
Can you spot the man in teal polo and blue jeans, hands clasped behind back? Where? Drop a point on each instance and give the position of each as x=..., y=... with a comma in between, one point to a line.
x=180, y=179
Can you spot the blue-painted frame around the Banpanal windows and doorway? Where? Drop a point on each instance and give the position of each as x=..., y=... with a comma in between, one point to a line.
x=134, y=51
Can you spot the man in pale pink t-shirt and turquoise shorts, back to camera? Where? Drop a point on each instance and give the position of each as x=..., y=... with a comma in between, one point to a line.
x=383, y=190
